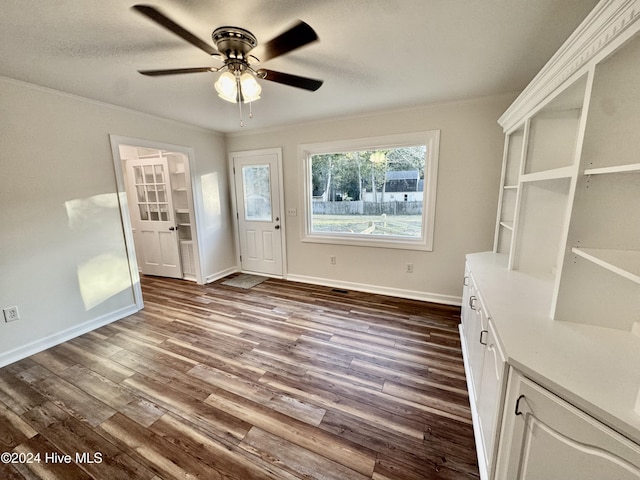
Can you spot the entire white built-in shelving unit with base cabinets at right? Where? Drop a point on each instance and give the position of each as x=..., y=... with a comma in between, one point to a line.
x=560, y=292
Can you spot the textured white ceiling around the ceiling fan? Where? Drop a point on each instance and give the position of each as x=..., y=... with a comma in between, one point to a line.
x=373, y=54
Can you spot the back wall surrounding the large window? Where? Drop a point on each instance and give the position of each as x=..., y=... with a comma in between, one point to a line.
x=471, y=146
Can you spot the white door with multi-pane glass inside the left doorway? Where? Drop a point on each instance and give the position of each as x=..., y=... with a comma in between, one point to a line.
x=152, y=214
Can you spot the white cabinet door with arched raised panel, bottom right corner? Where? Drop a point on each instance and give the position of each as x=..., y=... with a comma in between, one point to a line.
x=544, y=438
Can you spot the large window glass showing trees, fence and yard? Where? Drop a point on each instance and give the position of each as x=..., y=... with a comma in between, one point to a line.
x=377, y=192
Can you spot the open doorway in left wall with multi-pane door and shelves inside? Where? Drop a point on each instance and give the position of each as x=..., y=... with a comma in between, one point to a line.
x=155, y=182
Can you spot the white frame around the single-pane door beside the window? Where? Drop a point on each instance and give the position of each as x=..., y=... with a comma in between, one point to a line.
x=234, y=203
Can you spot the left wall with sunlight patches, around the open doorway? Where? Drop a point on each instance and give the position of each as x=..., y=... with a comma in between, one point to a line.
x=62, y=253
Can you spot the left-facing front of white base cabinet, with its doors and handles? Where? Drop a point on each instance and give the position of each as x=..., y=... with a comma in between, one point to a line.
x=484, y=367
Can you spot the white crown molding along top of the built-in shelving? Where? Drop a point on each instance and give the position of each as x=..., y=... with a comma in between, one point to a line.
x=609, y=24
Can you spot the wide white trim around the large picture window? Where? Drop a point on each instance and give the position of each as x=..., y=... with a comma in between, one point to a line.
x=430, y=138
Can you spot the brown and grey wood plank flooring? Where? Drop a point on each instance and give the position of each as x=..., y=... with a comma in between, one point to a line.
x=281, y=381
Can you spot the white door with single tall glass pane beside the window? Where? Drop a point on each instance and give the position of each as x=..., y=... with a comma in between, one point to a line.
x=257, y=185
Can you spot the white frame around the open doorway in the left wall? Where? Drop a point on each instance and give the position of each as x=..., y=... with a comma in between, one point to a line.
x=121, y=192
